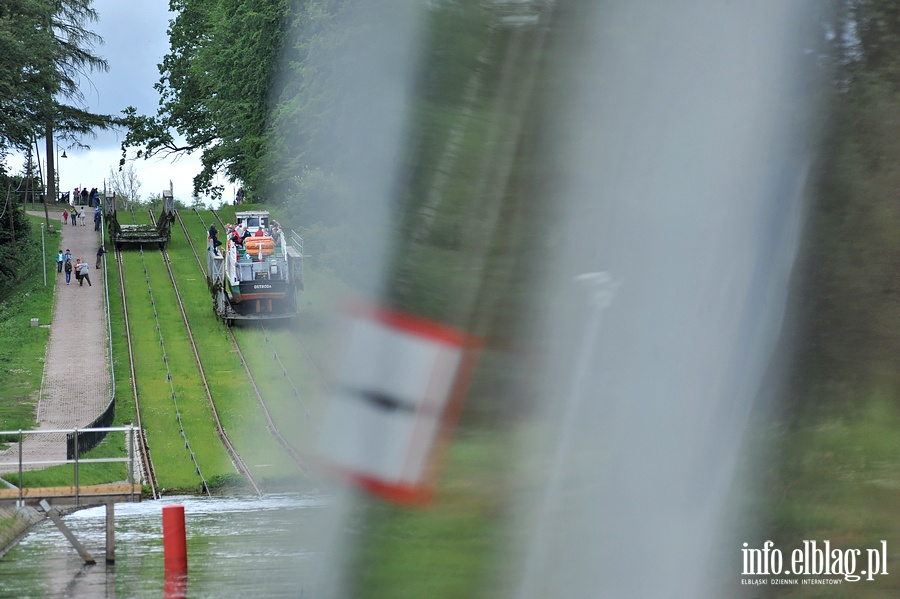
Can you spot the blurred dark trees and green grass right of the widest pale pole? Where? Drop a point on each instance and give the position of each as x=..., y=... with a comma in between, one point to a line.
x=835, y=473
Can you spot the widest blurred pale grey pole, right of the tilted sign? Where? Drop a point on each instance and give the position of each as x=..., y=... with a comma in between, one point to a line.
x=679, y=146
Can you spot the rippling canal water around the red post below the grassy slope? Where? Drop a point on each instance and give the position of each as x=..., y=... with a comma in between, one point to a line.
x=237, y=547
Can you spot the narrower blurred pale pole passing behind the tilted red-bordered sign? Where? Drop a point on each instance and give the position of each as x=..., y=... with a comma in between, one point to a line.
x=371, y=72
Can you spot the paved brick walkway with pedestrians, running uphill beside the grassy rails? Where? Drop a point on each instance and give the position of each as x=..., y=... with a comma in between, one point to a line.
x=76, y=384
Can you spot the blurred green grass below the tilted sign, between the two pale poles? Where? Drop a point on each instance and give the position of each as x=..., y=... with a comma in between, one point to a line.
x=446, y=550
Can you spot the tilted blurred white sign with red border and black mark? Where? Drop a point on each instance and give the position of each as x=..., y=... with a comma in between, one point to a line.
x=397, y=396
